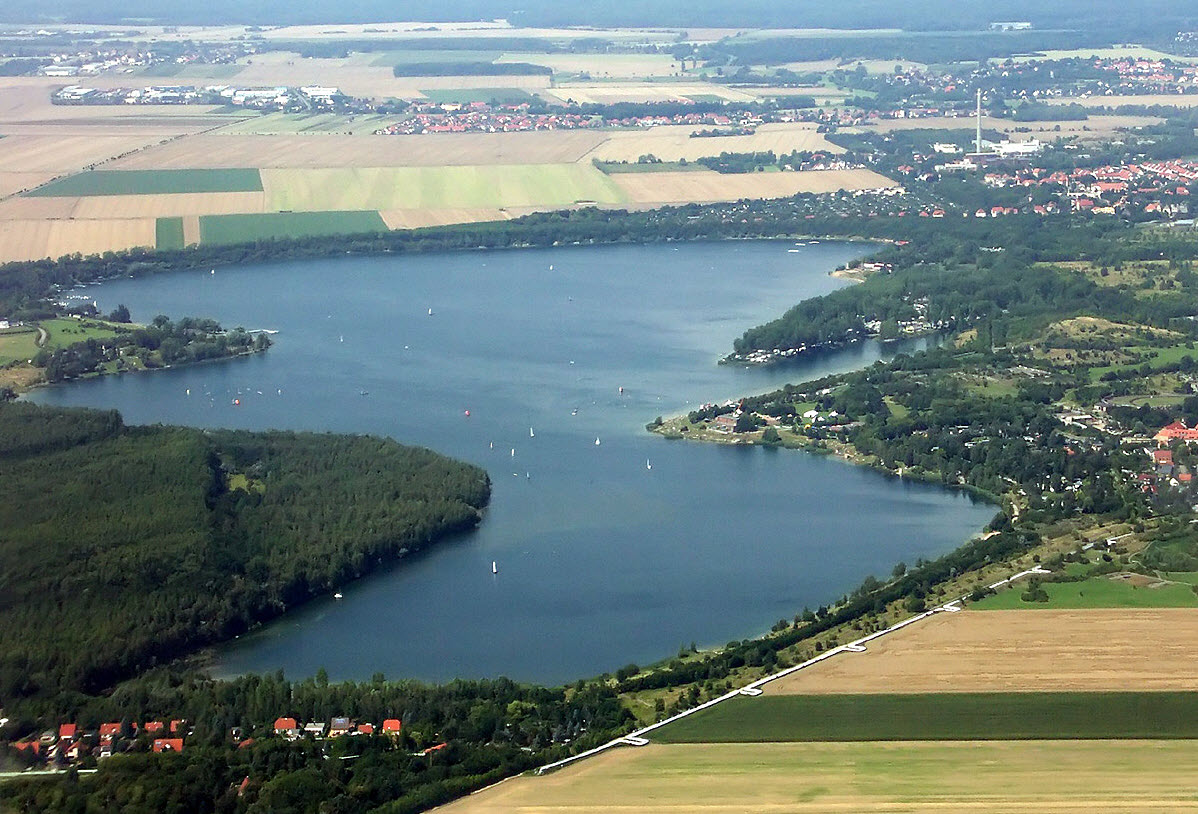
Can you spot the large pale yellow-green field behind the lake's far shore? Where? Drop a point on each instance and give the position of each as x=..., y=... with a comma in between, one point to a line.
x=438, y=188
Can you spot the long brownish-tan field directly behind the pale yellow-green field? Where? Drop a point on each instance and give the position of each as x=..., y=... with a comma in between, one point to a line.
x=326, y=152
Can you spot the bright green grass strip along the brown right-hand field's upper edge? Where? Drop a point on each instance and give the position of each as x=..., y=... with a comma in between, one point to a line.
x=1096, y=593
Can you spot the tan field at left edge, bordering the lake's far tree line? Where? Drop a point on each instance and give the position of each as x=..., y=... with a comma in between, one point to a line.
x=35, y=240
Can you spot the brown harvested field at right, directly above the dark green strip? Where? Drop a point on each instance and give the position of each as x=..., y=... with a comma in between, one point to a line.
x=1017, y=650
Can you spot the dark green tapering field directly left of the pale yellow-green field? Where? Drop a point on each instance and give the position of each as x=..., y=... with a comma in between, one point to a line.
x=152, y=183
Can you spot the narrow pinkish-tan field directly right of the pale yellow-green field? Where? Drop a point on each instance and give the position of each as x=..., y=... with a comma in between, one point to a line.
x=700, y=188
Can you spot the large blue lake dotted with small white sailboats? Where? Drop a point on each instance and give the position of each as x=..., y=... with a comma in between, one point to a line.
x=613, y=545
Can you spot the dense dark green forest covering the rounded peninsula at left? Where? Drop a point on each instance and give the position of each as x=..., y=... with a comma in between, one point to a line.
x=126, y=547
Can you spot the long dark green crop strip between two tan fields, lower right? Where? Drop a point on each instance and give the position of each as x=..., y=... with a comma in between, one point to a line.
x=941, y=717
